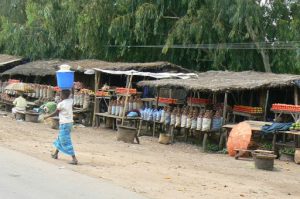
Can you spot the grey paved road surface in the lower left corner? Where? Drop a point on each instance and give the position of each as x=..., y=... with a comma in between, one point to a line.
x=24, y=177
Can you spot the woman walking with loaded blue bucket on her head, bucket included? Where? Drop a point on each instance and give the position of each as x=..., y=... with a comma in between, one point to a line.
x=63, y=143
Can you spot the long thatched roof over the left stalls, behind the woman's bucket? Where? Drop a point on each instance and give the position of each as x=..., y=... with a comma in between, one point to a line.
x=43, y=68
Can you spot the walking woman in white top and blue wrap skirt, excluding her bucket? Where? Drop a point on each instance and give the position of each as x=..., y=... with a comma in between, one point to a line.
x=65, y=112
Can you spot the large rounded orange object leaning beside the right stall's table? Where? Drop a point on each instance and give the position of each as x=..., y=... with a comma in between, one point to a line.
x=239, y=138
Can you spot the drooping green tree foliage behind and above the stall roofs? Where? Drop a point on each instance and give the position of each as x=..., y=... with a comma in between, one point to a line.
x=105, y=29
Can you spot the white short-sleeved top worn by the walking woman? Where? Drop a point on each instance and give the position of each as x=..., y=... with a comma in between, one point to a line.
x=65, y=109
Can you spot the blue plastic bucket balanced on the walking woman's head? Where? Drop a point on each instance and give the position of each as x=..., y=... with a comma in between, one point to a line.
x=65, y=79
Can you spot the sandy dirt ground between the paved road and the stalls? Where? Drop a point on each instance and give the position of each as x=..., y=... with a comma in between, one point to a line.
x=154, y=170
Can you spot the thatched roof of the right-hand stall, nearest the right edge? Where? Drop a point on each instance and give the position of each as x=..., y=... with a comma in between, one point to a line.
x=218, y=81
